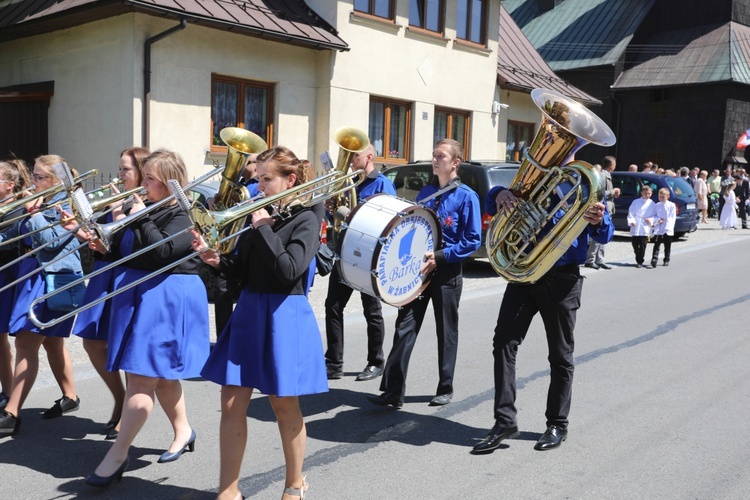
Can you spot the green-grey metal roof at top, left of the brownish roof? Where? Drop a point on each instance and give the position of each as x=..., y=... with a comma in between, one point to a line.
x=581, y=33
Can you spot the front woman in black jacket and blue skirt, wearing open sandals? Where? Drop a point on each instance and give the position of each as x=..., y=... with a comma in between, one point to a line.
x=279, y=352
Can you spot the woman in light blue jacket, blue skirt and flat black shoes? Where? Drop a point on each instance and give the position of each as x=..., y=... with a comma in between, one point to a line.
x=30, y=338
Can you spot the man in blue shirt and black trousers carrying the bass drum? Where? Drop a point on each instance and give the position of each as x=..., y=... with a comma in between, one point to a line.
x=460, y=218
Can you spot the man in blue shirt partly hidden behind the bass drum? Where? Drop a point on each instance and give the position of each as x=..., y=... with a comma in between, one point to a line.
x=339, y=292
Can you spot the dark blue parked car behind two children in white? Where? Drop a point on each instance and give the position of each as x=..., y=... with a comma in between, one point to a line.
x=680, y=193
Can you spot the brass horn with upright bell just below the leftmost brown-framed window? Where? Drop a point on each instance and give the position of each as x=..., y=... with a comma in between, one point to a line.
x=240, y=143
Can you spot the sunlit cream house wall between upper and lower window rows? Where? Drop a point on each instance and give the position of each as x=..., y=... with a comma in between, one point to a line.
x=389, y=60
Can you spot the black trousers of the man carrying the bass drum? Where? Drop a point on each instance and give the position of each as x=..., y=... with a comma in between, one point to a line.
x=445, y=292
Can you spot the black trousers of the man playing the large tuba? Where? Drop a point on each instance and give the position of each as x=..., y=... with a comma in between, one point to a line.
x=557, y=297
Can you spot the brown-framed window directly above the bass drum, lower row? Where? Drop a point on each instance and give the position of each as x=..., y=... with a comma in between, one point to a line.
x=389, y=129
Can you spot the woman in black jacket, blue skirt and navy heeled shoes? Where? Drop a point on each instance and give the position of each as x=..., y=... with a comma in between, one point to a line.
x=158, y=330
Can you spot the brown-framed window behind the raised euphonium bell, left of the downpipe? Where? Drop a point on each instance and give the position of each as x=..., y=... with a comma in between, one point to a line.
x=241, y=103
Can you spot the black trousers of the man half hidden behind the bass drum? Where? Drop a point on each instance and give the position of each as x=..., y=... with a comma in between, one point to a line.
x=338, y=296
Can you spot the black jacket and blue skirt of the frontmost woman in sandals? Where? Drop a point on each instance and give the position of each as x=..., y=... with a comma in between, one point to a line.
x=272, y=342
